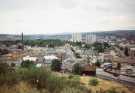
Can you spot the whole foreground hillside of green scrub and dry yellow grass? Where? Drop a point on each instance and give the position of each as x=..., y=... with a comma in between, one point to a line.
x=29, y=79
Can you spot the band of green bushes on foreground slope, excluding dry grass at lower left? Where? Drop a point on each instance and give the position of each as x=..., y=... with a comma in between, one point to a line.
x=42, y=79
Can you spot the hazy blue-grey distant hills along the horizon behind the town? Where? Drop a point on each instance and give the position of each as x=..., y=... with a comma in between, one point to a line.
x=129, y=34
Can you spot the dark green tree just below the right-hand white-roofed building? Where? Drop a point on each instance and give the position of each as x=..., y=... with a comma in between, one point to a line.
x=56, y=65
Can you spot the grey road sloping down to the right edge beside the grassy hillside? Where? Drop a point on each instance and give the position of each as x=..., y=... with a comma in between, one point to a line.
x=125, y=80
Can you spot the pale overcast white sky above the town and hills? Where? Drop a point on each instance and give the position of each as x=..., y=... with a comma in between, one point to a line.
x=59, y=16
